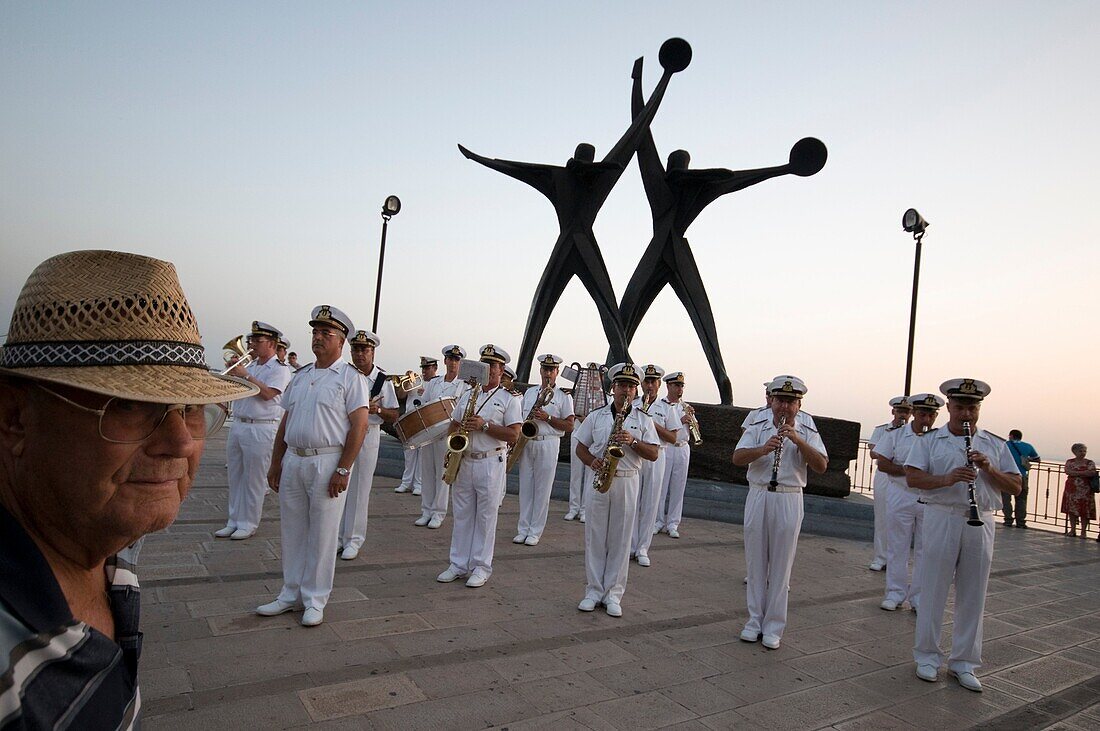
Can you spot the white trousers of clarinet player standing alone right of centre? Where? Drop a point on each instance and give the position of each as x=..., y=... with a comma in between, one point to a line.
x=773, y=523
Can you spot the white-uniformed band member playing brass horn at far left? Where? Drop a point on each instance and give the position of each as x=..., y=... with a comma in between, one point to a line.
x=252, y=437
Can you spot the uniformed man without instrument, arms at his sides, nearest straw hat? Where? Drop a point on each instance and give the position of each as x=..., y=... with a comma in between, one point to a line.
x=316, y=448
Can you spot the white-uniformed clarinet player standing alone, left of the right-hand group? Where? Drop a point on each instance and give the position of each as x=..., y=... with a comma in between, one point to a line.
x=774, y=513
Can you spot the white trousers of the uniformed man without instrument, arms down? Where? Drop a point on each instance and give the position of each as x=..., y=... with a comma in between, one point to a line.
x=310, y=520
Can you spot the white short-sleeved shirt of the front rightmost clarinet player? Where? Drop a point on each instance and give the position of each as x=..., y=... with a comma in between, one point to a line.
x=940, y=452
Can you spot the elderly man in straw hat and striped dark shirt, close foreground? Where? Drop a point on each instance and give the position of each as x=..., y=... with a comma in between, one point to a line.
x=105, y=368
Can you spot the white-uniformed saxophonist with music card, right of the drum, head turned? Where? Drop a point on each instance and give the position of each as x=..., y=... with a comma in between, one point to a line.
x=477, y=492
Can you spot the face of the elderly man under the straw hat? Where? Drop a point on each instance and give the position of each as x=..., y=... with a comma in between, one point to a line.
x=102, y=496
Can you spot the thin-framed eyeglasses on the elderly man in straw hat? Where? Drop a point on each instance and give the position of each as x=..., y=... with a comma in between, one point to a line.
x=123, y=422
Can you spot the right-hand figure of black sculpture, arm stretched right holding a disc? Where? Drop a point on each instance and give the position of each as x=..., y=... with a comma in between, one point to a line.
x=677, y=196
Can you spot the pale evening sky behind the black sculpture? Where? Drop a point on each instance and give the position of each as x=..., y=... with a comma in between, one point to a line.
x=252, y=145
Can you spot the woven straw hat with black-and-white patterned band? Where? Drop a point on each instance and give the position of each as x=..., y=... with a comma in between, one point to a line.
x=113, y=324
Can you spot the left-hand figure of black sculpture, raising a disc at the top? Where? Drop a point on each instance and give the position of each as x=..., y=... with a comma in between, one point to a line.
x=578, y=191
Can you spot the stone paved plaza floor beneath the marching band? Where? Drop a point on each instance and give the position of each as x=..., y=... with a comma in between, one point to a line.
x=400, y=651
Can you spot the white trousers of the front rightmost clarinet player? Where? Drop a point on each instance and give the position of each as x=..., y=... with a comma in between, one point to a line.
x=960, y=555
